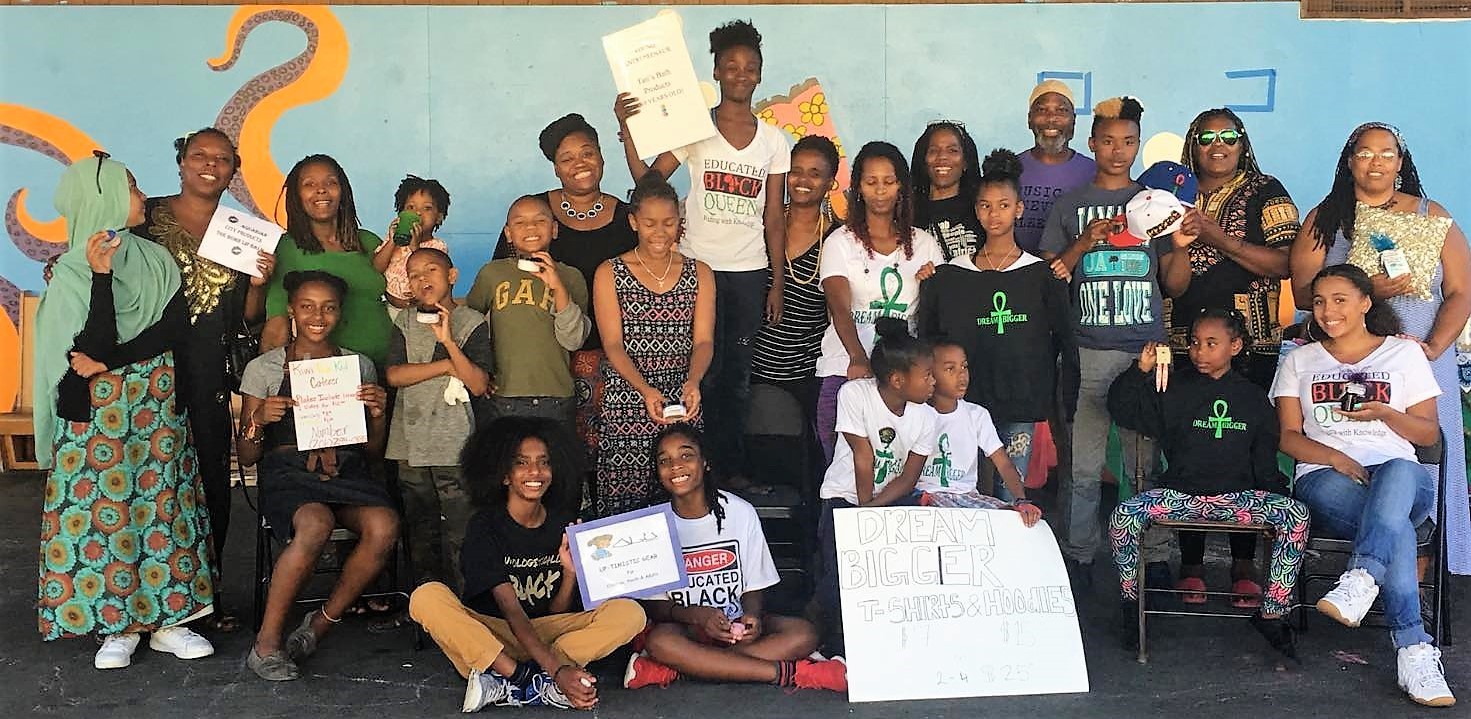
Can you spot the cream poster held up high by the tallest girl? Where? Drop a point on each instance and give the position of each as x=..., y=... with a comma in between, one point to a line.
x=652, y=62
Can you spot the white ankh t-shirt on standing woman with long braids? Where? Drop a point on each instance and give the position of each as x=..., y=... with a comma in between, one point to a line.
x=882, y=286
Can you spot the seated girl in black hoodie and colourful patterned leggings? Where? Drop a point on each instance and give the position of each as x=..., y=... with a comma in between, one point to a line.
x=1219, y=434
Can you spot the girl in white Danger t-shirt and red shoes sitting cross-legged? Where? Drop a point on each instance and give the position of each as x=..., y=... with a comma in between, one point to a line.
x=717, y=629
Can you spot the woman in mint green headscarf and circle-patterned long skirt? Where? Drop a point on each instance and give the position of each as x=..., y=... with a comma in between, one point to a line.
x=126, y=537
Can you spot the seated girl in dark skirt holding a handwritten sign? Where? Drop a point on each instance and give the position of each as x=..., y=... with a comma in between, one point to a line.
x=307, y=495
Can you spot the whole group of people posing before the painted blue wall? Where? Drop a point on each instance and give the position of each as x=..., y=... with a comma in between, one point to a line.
x=958, y=307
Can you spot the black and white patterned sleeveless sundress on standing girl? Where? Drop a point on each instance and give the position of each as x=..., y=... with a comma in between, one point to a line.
x=658, y=337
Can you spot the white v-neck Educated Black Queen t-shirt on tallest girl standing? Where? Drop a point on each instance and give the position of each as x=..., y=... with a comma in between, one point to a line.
x=724, y=214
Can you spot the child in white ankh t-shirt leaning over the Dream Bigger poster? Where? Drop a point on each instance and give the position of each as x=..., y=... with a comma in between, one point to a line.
x=963, y=433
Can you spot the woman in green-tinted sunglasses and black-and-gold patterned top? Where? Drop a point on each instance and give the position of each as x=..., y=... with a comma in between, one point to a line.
x=1247, y=223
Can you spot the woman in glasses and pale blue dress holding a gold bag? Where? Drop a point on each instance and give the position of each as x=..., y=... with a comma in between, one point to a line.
x=1378, y=207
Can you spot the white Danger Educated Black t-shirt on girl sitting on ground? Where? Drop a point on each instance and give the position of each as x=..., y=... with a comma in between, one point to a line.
x=727, y=562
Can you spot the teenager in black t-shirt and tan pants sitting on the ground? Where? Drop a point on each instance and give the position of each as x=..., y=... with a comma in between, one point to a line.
x=516, y=633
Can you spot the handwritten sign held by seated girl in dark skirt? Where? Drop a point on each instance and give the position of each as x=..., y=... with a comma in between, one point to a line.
x=327, y=412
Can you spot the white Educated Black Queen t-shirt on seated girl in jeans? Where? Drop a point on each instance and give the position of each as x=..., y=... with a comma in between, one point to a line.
x=1397, y=374
